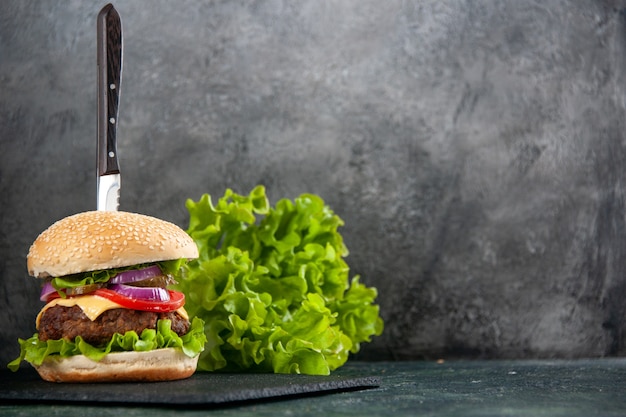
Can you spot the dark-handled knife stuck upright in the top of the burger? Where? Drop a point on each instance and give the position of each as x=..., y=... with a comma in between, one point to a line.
x=109, y=49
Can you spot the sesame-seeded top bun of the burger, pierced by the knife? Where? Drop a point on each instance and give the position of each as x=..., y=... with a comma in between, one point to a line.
x=97, y=240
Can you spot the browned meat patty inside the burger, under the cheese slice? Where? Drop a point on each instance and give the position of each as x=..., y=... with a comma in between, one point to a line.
x=68, y=322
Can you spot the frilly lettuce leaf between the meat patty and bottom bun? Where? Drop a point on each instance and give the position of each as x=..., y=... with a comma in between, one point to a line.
x=35, y=351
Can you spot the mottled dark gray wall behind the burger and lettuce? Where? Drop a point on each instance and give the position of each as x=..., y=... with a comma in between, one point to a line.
x=475, y=150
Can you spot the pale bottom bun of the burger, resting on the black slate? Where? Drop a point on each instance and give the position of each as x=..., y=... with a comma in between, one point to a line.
x=156, y=365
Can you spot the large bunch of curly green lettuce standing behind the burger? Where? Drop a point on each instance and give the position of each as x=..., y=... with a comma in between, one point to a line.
x=273, y=287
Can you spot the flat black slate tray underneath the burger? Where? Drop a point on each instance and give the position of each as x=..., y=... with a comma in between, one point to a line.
x=202, y=388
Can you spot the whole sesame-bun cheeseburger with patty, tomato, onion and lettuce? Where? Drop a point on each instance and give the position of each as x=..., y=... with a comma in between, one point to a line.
x=109, y=312
